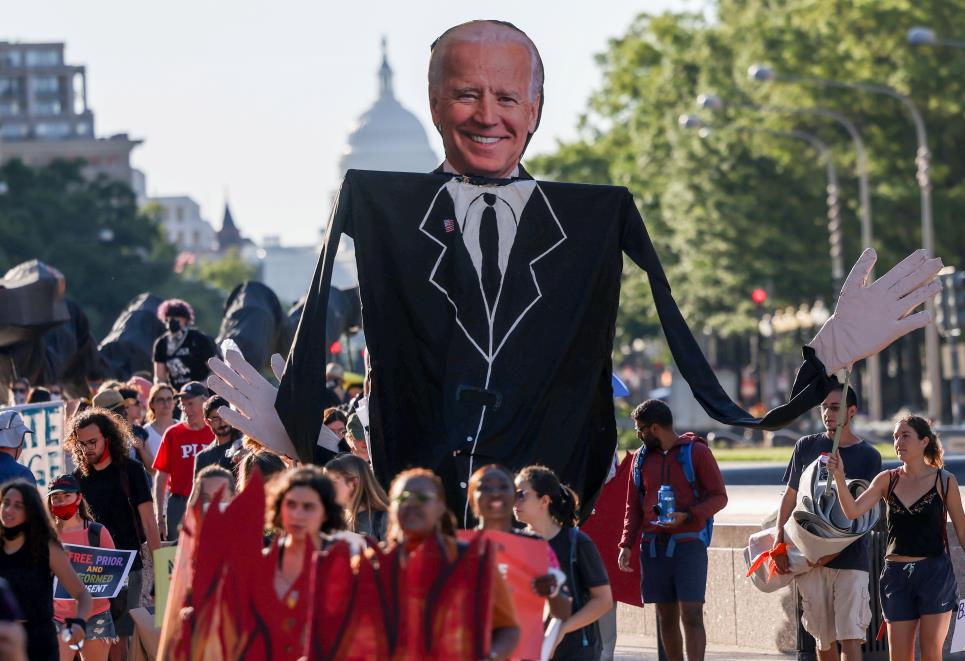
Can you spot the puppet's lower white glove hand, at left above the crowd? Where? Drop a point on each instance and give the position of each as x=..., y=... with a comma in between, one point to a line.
x=253, y=400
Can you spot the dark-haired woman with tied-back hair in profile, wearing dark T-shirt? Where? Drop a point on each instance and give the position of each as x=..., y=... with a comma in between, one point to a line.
x=550, y=510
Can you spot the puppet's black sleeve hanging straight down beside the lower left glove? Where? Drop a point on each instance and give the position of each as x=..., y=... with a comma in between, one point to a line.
x=302, y=386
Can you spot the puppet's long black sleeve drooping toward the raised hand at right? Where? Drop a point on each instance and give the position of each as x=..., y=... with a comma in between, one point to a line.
x=811, y=385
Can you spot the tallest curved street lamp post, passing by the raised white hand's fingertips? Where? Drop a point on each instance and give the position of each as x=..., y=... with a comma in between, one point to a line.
x=922, y=161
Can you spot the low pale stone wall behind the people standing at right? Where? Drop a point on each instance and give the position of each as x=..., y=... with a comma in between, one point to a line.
x=738, y=614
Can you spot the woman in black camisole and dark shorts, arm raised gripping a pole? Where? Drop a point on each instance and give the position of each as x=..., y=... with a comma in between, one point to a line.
x=917, y=585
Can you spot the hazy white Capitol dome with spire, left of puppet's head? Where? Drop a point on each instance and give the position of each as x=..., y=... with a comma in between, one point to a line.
x=387, y=136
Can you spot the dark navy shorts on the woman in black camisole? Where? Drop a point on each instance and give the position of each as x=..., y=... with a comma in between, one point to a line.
x=909, y=590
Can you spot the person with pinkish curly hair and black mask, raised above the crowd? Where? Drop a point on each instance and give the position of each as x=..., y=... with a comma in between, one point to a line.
x=181, y=354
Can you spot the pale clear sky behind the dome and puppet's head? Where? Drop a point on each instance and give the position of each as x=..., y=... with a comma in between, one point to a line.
x=253, y=100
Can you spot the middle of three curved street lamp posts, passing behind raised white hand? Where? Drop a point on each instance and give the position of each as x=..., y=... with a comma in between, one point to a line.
x=714, y=102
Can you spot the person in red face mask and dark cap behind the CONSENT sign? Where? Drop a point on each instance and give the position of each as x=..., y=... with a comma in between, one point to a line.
x=75, y=525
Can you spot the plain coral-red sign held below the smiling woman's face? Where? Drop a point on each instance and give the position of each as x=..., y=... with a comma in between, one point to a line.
x=520, y=560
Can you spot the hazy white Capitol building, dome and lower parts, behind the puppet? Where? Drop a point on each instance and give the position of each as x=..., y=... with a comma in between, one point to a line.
x=384, y=137
